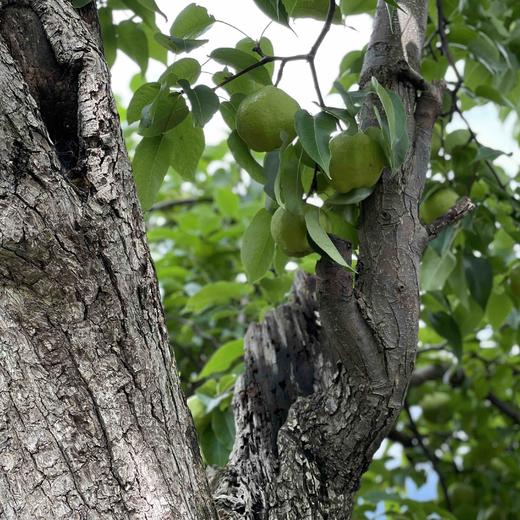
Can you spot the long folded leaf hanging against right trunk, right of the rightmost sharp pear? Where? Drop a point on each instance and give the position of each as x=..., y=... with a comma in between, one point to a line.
x=395, y=131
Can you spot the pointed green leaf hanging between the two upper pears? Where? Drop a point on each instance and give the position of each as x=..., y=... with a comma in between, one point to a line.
x=314, y=133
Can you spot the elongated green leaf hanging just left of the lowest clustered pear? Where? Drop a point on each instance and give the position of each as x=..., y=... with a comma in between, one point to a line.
x=257, y=246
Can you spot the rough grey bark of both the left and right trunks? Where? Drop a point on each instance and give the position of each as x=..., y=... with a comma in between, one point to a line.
x=92, y=422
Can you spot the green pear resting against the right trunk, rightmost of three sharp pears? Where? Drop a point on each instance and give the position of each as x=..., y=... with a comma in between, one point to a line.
x=356, y=161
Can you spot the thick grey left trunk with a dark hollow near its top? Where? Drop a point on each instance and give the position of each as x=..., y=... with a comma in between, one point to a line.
x=92, y=422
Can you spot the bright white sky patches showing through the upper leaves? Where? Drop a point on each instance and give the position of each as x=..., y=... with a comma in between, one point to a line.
x=297, y=80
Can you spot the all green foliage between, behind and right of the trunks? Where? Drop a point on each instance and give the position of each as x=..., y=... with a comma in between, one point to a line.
x=470, y=321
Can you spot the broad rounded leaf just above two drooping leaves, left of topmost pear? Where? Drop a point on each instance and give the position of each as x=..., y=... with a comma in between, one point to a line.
x=166, y=112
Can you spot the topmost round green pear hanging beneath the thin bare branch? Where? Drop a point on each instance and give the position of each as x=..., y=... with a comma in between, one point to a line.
x=264, y=116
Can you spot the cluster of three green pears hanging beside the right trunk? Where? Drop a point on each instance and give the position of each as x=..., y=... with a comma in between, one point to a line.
x=265, y=120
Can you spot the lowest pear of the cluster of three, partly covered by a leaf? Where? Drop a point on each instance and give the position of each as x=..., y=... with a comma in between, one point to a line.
x=290, y=233
